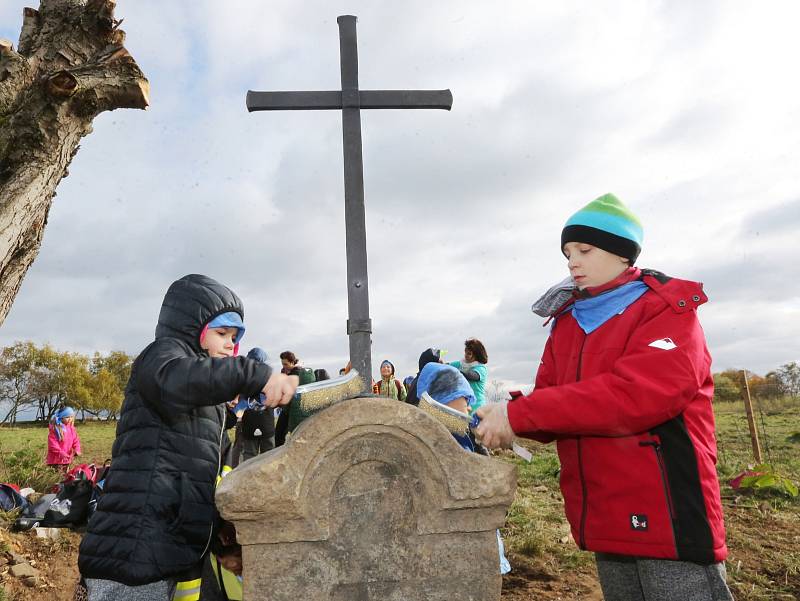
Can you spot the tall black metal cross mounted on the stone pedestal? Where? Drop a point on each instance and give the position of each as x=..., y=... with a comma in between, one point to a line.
x=351, y=100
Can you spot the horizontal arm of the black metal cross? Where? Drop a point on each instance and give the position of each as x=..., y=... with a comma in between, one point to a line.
x=368, y=99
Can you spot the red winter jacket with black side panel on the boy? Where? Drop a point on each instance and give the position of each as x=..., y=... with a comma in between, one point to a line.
x=630, y=406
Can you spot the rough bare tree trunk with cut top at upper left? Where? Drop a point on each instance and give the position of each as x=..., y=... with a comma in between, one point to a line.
x=69, y=67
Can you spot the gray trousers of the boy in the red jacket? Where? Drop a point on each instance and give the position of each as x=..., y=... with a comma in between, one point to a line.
x=634, y=579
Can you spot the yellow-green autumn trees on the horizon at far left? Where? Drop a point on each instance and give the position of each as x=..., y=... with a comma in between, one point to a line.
x=43, y=379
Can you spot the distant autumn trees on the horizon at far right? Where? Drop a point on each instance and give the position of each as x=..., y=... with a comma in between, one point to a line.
x=729, y=385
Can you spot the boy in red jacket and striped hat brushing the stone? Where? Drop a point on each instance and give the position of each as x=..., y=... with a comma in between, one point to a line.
x=624, y=387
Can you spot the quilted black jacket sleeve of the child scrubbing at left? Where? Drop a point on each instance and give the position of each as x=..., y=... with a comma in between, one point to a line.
x=178, y=380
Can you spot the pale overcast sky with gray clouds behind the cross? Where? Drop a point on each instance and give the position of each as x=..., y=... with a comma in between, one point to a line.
x=688, y=111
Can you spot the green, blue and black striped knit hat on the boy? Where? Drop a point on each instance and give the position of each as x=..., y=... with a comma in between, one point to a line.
x=608, y=224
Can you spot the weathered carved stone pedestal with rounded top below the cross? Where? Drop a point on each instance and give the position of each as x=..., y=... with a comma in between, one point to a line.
x=370, y=499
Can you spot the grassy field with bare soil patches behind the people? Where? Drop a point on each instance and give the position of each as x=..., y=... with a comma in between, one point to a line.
x=763, y=528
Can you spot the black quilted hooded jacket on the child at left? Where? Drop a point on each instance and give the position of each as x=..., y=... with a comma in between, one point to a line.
x=155, y=517
